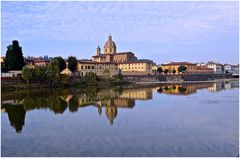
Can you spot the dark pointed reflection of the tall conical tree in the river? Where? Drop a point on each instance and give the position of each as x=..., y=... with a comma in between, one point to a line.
x=16, y=116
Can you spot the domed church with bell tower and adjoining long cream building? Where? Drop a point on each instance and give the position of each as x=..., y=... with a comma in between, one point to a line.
x=125, y=62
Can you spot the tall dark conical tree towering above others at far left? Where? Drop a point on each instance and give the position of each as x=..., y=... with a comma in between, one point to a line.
x=14, y=57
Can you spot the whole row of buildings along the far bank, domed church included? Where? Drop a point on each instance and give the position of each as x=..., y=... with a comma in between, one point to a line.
x=127, y=63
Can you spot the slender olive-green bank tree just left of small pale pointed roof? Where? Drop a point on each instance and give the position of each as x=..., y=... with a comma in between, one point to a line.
x=53, y=72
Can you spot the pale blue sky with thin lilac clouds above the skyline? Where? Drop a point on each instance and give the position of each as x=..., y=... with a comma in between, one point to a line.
x=159, y=30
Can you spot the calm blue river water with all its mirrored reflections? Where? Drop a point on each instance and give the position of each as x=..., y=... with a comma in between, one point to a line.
x=198, y=119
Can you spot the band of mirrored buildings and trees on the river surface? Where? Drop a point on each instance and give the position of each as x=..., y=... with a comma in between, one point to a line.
x=16, y=105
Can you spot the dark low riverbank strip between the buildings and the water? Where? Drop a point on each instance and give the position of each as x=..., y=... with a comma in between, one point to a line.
x=127, y=80
